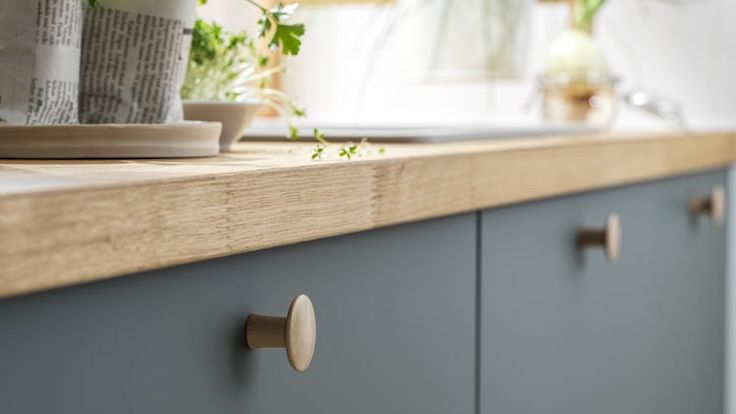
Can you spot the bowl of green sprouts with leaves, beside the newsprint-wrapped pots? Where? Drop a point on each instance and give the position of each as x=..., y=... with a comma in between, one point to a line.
x=227, y=78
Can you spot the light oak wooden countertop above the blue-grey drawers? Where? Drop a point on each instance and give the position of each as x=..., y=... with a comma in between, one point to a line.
x=69, y=222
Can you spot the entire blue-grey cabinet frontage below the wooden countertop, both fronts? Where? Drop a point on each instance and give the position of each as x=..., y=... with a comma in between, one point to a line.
x=501, y=311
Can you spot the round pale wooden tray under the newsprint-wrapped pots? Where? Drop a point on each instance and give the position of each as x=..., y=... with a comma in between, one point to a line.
x=180, y=140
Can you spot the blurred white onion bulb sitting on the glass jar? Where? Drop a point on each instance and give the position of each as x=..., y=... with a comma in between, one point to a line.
x=576, y=56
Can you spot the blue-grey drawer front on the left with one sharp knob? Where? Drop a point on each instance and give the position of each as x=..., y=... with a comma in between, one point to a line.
x=395, y=315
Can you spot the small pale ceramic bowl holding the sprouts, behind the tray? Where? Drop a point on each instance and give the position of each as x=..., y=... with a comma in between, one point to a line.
x=235, y=117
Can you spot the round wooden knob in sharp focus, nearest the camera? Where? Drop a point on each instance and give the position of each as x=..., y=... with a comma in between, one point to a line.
x=297, y=332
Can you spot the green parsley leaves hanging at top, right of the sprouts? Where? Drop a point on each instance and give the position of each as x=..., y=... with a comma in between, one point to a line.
x=287, y=37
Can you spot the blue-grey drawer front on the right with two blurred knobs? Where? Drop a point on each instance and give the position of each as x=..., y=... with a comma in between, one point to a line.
x=564, y=332
